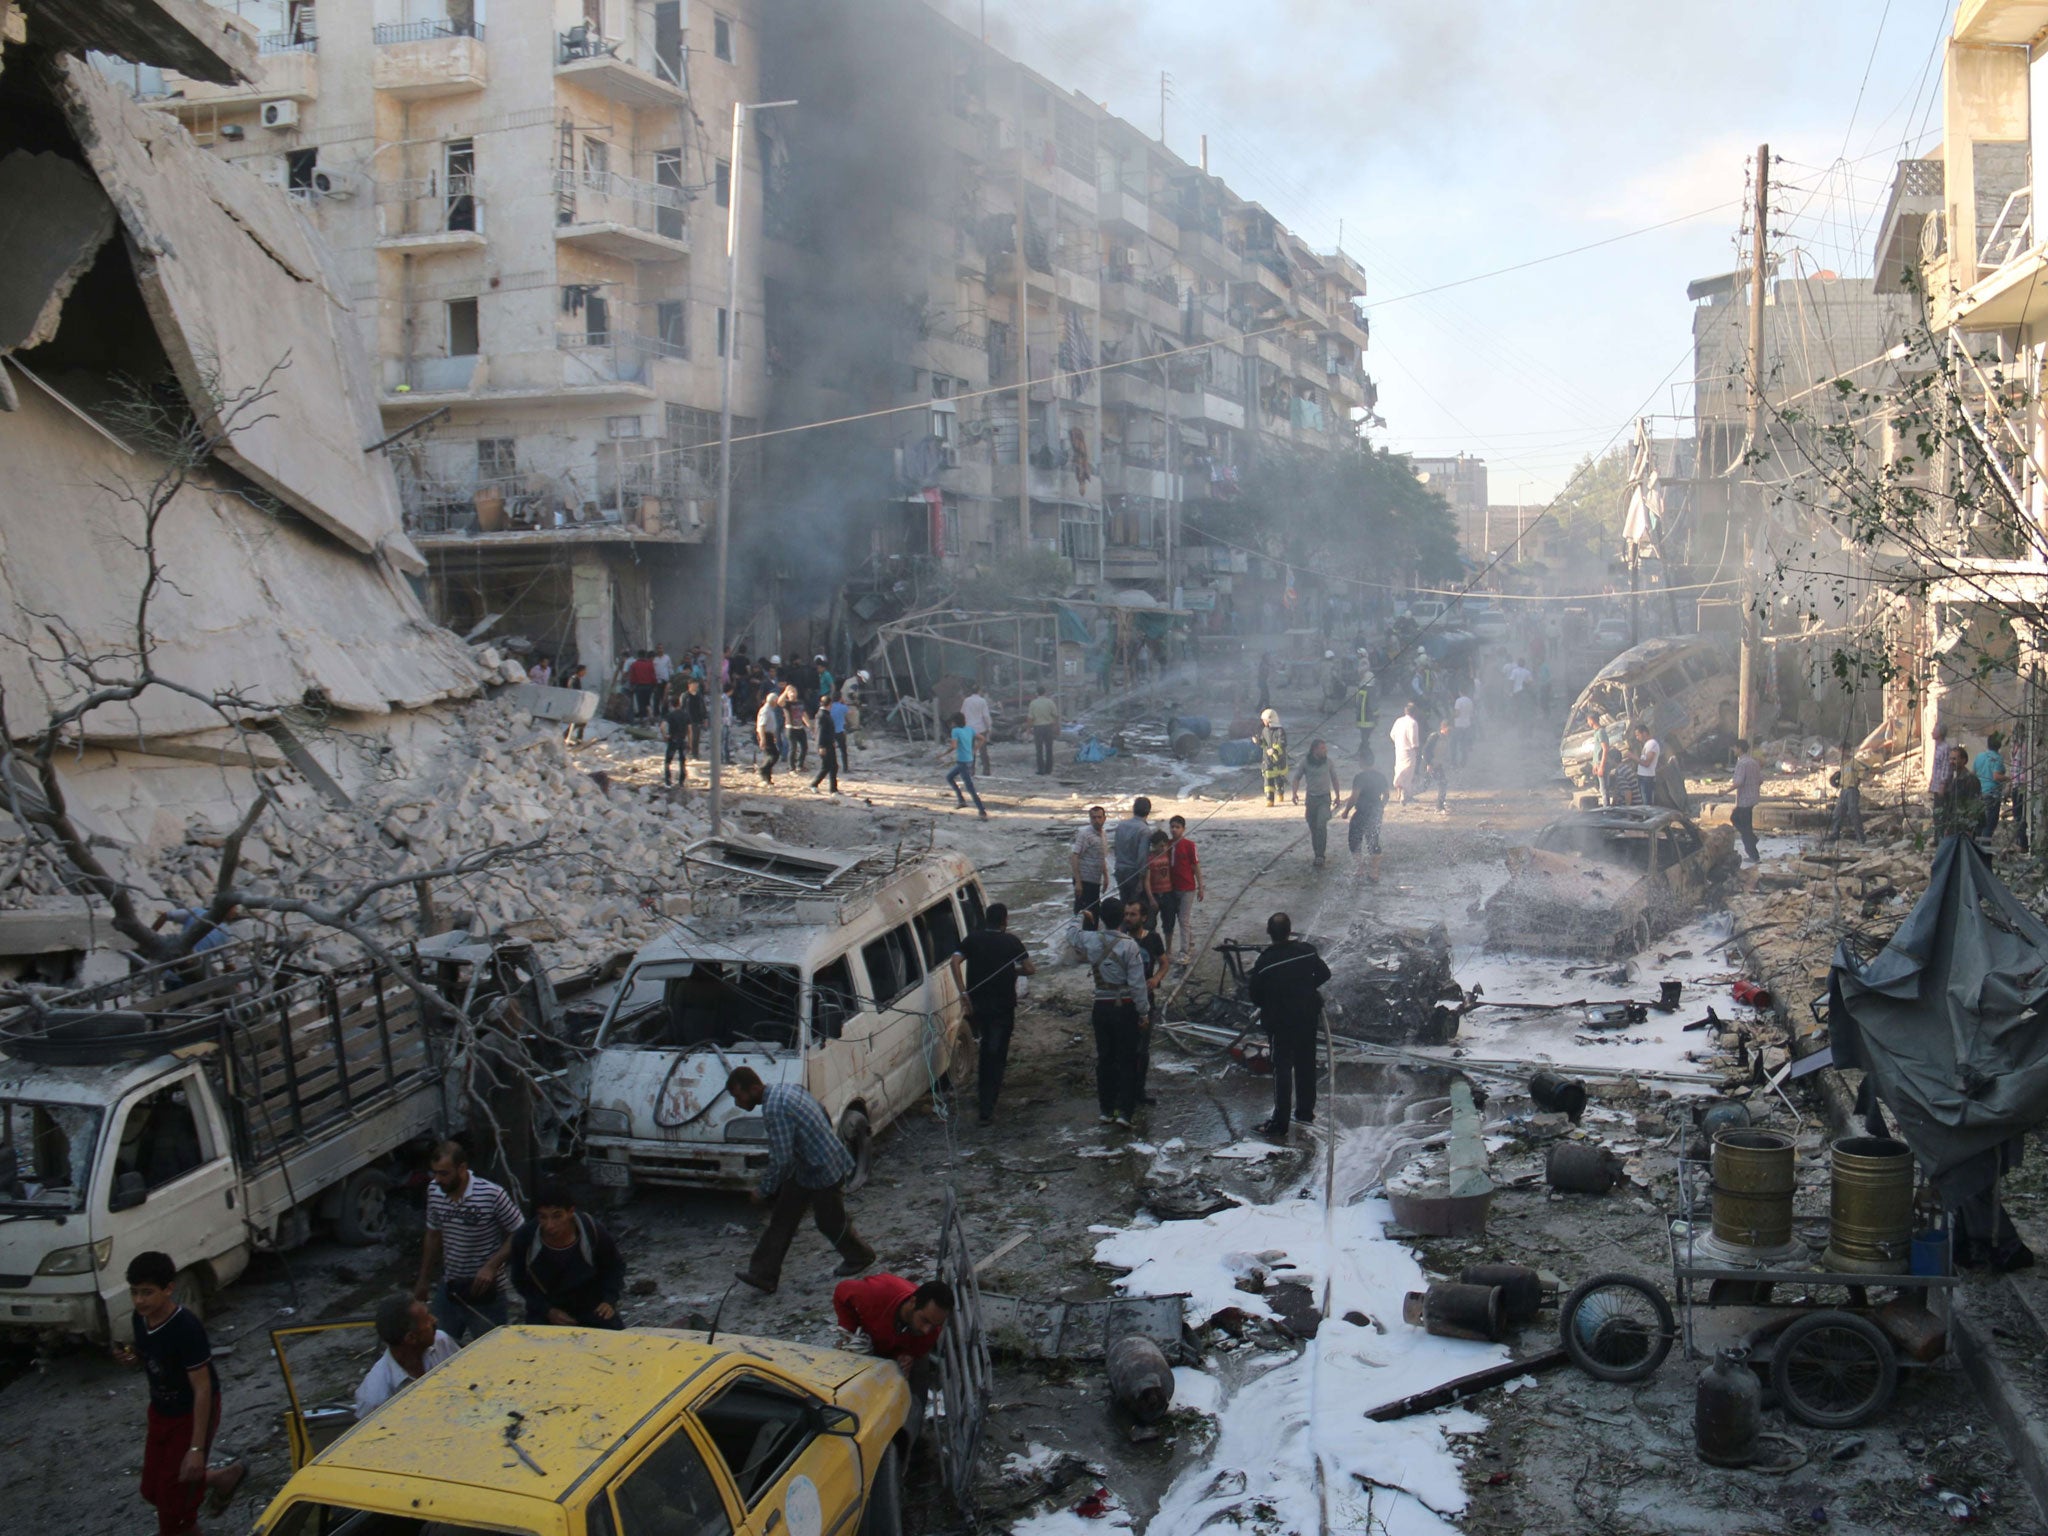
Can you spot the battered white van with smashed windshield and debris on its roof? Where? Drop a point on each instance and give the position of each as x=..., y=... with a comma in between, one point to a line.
x=814, y=968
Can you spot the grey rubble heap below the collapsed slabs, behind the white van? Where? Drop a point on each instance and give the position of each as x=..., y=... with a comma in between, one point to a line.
x=464, y=781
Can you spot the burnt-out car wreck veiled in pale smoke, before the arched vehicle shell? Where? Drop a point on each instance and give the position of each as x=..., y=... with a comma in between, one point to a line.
x=1605, y=884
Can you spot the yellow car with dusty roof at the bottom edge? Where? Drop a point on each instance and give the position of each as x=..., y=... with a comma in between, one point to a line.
x=587, y=1433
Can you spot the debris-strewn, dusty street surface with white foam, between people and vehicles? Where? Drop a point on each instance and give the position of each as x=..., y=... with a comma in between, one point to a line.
x=1258, y=1408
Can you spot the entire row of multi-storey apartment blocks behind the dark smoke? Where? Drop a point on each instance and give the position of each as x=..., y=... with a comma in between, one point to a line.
x=529, y=206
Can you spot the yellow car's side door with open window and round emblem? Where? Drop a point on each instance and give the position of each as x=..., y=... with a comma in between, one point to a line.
x=792, y=1457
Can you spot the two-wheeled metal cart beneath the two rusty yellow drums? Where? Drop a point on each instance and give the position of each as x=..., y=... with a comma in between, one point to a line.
x=1830, y=1340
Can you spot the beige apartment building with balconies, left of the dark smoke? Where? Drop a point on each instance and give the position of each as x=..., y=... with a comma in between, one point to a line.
x=523, y=202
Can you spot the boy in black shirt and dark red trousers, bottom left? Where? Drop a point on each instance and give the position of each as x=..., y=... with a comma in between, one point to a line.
x=185, y=1400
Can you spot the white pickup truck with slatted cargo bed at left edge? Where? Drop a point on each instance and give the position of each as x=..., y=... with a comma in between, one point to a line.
x=206, y=1109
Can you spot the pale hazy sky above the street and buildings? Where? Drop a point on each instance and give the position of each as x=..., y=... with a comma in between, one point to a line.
x=1461, y=136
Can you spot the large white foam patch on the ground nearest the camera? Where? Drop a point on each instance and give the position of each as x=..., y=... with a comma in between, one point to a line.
x=1310, y=1408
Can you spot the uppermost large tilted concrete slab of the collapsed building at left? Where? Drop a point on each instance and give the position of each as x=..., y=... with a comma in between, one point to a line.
x=241, y=296
